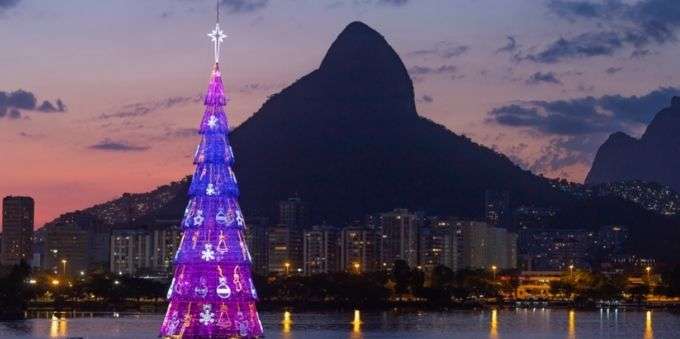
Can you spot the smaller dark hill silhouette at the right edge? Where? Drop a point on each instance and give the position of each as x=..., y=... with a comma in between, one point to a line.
x=654, y=157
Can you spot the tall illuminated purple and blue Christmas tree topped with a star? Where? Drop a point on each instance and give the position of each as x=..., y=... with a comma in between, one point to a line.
x=212, y=293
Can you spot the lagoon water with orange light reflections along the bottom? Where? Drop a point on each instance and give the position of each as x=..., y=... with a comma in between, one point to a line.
x=521, y=323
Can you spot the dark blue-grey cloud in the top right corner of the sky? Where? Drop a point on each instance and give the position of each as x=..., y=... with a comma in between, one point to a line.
x=621, y=25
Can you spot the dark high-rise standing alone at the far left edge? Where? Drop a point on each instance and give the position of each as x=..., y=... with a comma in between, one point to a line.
x=17, y=230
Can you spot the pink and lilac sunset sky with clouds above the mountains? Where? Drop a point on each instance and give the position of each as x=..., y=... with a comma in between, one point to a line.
x=545, y=82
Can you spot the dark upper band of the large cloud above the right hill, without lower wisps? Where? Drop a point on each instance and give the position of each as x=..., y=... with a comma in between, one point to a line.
x=586, y=115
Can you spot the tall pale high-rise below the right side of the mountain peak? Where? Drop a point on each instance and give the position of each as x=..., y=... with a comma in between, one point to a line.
x=399, y=237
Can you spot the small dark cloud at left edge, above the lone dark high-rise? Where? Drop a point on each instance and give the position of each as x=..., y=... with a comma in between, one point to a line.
x=12, y=103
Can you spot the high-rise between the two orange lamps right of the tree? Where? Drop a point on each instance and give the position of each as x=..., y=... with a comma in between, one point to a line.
x=320, y=250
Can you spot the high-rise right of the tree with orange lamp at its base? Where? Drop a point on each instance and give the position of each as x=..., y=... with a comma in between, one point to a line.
x=284, y=250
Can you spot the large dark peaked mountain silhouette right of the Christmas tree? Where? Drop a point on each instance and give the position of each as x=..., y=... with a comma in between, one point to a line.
x=348, y=140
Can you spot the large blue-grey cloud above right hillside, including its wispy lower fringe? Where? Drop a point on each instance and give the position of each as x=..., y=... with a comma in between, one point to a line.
x=576, y=128
